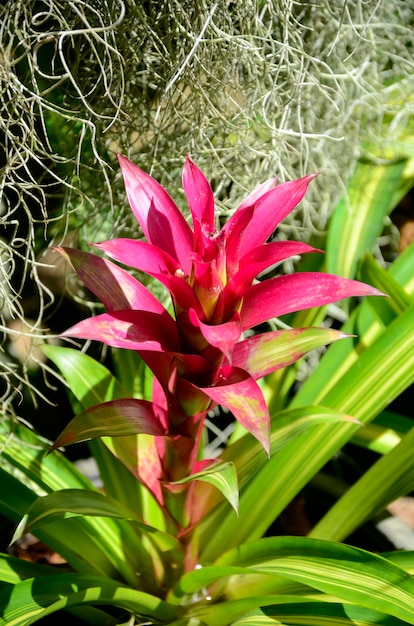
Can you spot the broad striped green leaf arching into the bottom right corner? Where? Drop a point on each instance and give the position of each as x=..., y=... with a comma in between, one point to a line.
x=345, y=572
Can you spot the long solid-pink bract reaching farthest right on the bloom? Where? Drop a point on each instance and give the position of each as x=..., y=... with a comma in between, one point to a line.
x=295, y=292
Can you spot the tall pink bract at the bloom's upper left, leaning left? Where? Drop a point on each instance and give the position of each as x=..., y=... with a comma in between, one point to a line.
x=158, y=215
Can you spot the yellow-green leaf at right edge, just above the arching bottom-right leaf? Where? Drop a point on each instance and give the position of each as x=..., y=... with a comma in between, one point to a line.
x=390, y=477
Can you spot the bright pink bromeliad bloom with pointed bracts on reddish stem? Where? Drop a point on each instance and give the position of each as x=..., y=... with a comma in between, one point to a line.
x=199, y=355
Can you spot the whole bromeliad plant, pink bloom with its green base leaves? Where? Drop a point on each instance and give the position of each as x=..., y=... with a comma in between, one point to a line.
x=159, y=542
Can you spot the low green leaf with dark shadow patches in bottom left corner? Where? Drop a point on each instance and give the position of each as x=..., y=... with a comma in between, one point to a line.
x=33, y=599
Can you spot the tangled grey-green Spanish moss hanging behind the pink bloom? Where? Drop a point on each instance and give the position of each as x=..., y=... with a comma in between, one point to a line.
x=251, y=89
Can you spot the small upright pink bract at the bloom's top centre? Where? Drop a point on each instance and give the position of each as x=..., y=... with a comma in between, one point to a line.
x=199, y=196
